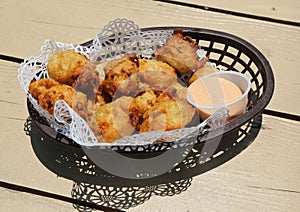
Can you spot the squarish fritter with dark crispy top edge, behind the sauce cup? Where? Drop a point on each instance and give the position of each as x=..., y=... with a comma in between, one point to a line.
x=180, y=53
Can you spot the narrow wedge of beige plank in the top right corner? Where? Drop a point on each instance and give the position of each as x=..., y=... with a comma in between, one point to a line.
x=284, y=10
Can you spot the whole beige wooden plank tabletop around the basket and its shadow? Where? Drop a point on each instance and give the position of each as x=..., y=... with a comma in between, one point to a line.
x=264, y=177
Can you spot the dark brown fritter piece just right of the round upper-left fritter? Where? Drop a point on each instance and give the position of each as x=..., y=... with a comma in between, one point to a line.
x=88, y=81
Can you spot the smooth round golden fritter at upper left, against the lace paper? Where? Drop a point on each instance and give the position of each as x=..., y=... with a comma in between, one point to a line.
x=65, y=66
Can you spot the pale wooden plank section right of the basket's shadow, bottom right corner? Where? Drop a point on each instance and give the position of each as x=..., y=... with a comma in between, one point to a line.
x=264, y=177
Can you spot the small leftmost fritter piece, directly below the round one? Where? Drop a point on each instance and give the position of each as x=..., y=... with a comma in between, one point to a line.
x=40, y=86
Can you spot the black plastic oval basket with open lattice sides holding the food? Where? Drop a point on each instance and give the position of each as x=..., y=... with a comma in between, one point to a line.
x=230, y=53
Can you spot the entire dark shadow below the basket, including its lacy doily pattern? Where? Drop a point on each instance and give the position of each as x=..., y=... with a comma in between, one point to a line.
x=95, y=185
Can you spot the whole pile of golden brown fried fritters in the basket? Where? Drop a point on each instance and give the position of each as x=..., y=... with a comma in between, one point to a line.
x=126, y=95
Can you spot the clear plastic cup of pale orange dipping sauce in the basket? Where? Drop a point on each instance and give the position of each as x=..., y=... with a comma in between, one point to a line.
x=227, y=89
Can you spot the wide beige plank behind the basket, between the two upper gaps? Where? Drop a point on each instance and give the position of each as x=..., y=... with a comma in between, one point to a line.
x=70, y=23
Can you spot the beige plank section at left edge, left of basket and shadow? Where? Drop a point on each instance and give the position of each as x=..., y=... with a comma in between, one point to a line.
x=18, y=162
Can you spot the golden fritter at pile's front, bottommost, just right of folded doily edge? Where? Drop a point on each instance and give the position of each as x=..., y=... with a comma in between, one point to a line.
x=113, y=120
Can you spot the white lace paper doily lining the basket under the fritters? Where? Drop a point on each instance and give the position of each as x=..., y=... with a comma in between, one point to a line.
x=118, y=37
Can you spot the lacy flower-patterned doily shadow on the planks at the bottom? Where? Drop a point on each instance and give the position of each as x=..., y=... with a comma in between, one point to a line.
x=124, y=197
